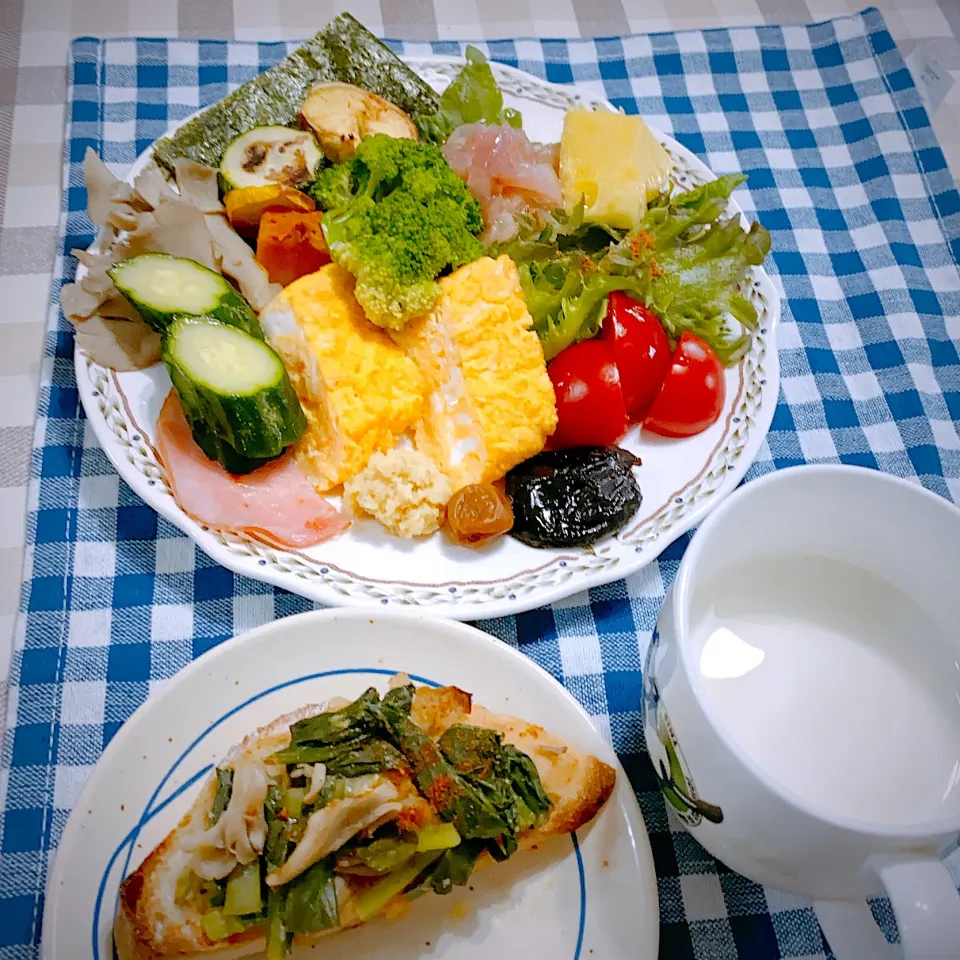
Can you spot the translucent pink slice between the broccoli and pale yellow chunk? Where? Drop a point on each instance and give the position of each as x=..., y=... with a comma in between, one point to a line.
x=507, y=173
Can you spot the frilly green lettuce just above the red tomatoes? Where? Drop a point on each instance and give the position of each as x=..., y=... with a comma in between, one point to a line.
x=685, y=260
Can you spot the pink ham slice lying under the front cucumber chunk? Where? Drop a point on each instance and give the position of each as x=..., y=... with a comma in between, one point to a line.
x=275, y=504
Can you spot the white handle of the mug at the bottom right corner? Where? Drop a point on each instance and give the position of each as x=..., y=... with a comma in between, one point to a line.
x=925, y=904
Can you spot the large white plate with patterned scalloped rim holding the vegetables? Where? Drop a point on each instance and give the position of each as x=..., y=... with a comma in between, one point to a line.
x=681, y=480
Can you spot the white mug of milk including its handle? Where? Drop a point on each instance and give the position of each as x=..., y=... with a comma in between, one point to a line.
x=757, y=795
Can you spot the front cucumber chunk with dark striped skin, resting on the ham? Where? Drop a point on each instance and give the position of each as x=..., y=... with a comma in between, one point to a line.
x=234, y=390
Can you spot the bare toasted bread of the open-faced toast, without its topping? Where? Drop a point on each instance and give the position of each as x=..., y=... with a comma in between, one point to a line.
x=151, y=925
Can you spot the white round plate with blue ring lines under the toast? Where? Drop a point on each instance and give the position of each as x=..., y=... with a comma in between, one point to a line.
x=592, y=894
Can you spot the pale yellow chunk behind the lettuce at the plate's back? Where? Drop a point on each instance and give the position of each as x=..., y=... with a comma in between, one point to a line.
x=614, y=163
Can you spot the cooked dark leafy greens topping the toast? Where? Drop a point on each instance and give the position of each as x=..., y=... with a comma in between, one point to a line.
x=485, y=793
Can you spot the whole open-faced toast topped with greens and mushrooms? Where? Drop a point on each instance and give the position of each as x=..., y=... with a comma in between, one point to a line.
x=332, y=815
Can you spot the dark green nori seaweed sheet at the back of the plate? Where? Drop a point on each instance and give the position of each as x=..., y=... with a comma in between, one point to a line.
x=343, y=51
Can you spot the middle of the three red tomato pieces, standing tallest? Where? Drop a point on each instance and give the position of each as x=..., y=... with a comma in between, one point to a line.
x=640, y=348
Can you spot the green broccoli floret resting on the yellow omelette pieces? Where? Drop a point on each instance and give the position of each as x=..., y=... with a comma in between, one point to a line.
x=398, y=217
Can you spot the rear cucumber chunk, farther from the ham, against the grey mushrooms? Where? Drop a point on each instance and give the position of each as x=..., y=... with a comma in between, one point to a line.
x=162, y=287
